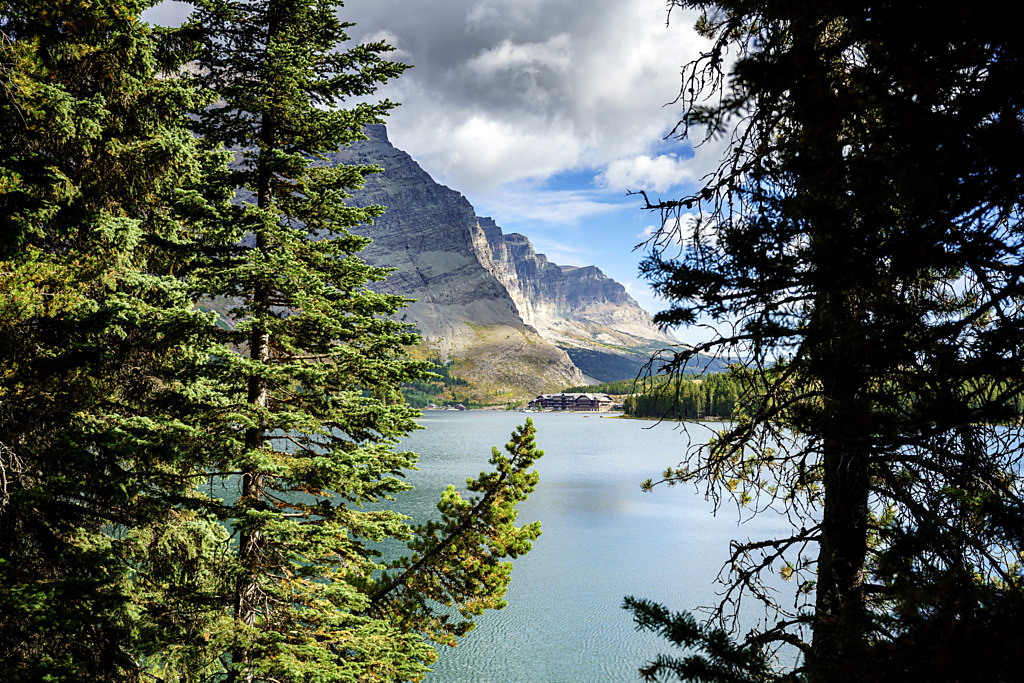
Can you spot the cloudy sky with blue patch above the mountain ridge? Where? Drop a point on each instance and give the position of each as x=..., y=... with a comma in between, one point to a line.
x=543, y=113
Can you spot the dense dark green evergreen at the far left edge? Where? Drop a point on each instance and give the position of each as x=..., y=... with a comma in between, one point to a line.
x=96, y=340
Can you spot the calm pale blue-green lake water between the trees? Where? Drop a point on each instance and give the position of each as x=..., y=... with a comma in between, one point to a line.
x=604, y=539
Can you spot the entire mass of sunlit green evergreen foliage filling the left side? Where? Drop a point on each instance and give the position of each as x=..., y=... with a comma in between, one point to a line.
x=182, y=492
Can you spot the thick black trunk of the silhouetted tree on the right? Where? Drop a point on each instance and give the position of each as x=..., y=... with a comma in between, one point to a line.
x=840, y=358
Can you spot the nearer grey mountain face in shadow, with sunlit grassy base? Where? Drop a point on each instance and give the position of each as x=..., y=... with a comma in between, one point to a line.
x=463, y=313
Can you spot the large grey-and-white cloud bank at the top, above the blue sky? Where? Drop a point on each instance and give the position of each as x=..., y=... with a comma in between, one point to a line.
x=528, y=90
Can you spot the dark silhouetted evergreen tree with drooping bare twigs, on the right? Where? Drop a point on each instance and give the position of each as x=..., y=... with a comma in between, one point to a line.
x=868, y=230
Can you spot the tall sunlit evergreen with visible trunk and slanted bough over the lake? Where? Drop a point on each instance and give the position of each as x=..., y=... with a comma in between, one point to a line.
x=309, y=371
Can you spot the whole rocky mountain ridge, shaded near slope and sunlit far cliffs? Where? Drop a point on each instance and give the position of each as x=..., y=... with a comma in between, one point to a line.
x=508, y=318
